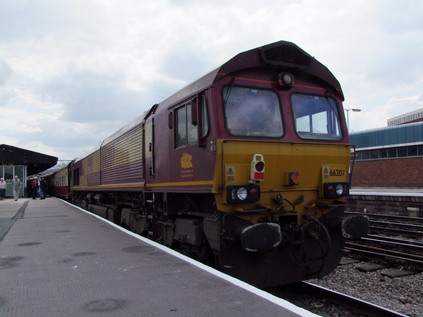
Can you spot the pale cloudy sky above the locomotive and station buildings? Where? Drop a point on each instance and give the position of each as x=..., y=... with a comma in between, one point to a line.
x=72, y=72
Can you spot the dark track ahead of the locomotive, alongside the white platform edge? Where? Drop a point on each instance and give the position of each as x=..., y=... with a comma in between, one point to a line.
x=304, y=293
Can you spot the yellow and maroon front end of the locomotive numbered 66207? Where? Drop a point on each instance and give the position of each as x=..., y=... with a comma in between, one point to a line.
x=282, y=162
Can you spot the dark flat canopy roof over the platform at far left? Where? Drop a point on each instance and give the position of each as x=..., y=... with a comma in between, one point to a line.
x=35, y=162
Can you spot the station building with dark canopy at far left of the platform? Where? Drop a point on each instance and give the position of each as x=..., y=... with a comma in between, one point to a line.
x=23, y=163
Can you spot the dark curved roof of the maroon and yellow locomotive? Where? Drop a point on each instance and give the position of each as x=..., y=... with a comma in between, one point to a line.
x=282, y=54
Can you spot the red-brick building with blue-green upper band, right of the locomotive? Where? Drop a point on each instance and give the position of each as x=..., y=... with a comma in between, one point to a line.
x=391, y=156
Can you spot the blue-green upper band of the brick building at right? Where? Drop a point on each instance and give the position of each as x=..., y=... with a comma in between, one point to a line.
x=390, y=136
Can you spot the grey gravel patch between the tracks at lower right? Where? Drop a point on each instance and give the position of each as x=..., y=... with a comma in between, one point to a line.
x=401, y=294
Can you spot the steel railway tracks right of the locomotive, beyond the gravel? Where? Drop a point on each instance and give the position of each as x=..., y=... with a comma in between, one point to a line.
x=403, y=245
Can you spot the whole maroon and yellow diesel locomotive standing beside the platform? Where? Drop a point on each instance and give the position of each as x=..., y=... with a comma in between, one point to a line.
x=246, y=169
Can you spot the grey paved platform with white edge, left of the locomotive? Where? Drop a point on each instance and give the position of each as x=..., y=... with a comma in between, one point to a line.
x=59, y=260
